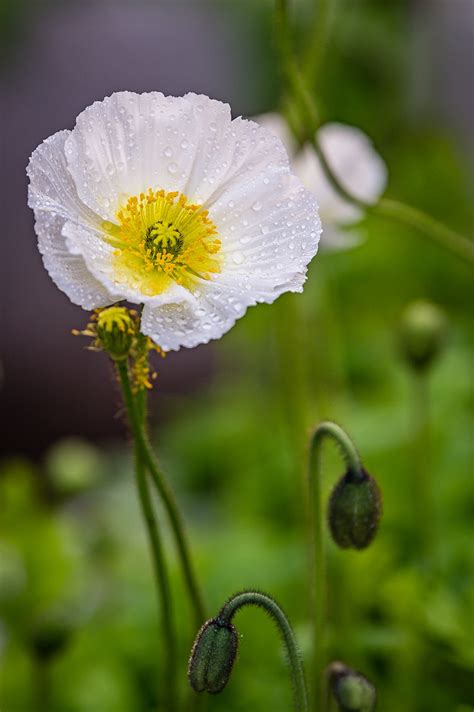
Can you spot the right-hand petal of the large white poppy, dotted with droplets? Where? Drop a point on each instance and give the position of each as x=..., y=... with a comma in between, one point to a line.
x=269, y=228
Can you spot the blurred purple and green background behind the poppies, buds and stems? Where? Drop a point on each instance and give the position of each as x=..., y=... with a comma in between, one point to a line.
x=226, y=416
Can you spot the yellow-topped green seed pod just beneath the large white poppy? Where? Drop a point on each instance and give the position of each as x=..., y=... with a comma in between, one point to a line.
x=116, y=328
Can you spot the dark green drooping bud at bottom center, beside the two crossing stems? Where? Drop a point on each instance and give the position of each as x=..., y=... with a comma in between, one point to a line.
x=212, y=656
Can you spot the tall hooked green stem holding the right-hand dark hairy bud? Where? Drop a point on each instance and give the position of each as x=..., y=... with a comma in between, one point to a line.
x=316, y=545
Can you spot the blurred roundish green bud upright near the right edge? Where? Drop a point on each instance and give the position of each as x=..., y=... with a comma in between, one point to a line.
x=422, y=334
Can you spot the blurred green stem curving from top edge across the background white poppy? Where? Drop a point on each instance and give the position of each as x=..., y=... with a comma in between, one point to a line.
x=457, y=244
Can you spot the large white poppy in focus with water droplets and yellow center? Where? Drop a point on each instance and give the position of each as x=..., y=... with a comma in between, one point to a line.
x=168, y=202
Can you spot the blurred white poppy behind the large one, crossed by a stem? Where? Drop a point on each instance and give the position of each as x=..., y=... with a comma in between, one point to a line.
x=354, y=161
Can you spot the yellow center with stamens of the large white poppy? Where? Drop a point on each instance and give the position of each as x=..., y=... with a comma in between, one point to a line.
x=160, y=239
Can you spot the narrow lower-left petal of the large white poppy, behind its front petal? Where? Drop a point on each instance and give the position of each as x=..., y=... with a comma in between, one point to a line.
x=68, y=271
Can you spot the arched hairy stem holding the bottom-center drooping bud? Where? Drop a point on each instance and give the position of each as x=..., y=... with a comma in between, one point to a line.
x=254, y=598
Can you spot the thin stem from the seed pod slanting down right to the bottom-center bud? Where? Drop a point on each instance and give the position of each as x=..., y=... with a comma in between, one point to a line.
x=166, y=494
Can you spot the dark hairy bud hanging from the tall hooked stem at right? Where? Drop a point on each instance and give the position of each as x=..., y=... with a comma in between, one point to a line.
x=355, y=507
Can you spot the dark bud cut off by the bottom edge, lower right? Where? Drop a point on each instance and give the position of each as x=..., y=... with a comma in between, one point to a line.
x=352, y=691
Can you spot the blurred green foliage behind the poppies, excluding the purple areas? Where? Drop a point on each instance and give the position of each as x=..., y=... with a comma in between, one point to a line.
x=72, y=546
